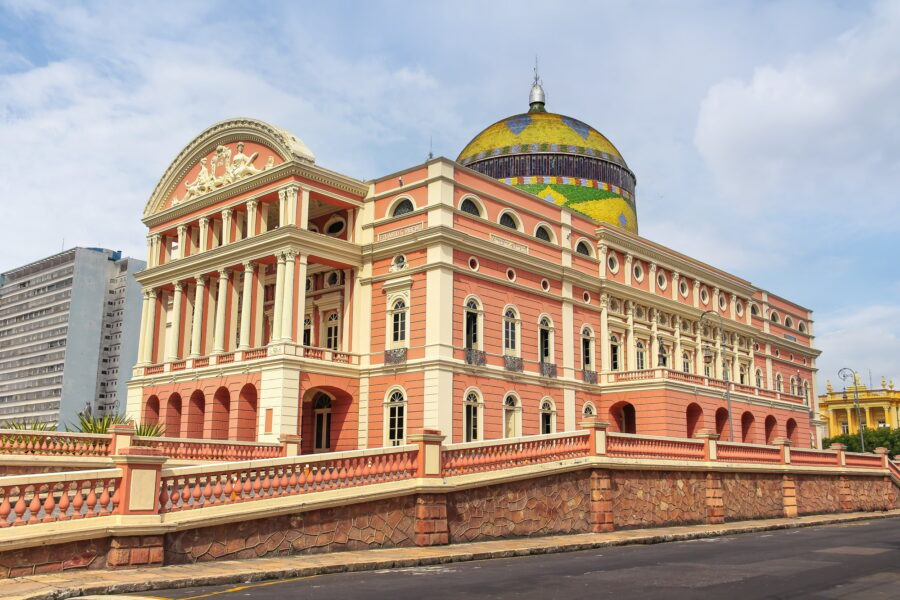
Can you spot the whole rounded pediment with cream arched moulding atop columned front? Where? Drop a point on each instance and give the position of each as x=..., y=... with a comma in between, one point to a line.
x=226, y=153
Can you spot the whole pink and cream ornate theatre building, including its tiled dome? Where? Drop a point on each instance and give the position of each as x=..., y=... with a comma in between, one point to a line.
x=503, y=294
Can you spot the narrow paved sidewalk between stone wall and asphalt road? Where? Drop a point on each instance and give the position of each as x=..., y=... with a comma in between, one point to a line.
x=83, y=583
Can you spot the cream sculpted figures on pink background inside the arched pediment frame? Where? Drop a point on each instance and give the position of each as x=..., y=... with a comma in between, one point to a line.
x=225, y=165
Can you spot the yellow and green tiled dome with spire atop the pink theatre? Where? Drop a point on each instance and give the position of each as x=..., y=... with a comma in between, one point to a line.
x=571, y=163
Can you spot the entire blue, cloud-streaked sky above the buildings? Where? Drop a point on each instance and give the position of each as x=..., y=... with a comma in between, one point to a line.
x=765, y=136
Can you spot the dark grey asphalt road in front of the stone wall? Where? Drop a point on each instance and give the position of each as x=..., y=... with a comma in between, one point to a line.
x=848, y=561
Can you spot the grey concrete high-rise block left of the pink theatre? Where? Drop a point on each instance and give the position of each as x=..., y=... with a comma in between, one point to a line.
x=68, y=335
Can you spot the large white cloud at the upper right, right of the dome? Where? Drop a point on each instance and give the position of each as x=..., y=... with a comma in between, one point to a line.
x=819, y=133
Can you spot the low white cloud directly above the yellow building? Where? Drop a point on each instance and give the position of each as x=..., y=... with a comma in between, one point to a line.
x=866, y=339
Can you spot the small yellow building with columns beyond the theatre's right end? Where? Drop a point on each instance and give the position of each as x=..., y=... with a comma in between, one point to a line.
x=878, y=408
